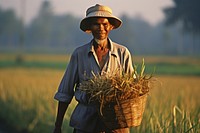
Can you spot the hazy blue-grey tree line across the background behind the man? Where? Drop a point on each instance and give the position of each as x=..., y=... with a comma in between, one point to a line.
x=61, y=33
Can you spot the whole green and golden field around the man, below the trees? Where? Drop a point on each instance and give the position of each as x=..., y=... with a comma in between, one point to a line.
x=27, y=91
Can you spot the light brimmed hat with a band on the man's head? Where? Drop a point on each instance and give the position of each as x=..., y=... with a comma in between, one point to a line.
x=99, y=11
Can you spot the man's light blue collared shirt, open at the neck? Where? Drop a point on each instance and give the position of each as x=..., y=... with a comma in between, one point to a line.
x=82, y=63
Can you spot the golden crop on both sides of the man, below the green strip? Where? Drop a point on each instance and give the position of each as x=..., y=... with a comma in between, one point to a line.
x=27, y=96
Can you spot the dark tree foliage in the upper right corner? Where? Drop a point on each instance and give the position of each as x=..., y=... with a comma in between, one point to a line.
x=186, y=11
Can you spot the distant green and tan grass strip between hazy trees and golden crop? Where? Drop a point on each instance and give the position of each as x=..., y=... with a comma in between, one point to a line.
x=162, y=64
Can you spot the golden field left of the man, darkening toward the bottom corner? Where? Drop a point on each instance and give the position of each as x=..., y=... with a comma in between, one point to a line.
x=26, y=98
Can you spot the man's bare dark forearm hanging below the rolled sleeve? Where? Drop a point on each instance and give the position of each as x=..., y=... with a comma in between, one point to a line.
x=62, y=107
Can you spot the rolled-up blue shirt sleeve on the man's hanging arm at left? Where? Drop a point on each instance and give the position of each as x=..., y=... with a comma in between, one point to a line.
x=65, y=91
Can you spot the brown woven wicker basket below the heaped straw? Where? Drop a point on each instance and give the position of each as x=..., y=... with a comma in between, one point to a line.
x=127, y=113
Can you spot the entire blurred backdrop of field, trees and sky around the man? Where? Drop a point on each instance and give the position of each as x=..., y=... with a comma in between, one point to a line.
x=37, y=38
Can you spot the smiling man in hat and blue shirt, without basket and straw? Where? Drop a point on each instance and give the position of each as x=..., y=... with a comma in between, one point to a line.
x=98, y=56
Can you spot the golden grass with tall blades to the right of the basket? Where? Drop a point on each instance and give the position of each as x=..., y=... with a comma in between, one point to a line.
x=172, y=106
